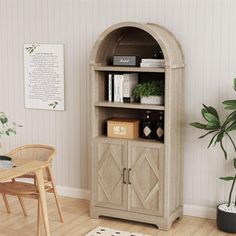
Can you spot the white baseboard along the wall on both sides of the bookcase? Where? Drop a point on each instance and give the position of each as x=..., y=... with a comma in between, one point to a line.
x=190, y=210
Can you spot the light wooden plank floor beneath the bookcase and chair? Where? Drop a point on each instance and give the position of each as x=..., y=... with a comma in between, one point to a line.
x=78, y=223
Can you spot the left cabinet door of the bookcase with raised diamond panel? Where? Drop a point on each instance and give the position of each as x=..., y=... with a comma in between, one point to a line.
x=109, y=173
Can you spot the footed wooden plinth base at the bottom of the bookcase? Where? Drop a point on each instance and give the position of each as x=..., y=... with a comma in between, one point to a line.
x=161, y=222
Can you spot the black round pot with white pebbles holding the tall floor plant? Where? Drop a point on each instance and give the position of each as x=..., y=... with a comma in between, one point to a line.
x=226, y=220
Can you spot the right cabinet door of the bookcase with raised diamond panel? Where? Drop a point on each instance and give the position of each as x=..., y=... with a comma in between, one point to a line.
x=146, y=178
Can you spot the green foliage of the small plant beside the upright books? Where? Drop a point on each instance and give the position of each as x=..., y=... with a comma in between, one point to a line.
x=150, y=88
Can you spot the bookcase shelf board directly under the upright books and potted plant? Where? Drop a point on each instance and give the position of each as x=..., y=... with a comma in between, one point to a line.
x=129, y=105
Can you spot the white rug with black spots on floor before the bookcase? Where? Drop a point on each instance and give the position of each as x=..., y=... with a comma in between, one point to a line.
x=103, y=231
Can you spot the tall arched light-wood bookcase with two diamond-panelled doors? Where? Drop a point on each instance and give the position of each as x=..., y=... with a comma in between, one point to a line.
x=139, y=179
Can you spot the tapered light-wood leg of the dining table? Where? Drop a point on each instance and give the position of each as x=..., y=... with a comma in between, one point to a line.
x=42, y=199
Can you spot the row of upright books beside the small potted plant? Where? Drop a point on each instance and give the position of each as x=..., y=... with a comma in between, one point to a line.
x=120, y=87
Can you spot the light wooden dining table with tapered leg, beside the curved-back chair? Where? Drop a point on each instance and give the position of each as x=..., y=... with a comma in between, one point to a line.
x=22, y=167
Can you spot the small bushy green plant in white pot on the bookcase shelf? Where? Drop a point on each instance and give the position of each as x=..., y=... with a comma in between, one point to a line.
x=150, y=92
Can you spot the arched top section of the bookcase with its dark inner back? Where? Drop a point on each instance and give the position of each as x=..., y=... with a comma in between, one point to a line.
x=139, y=39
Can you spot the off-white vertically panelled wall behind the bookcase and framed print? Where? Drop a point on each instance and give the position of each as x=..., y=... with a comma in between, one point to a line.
x=206, y=29
